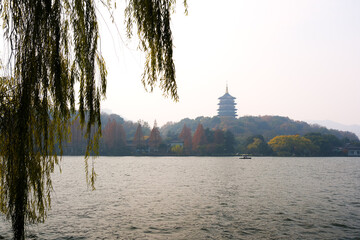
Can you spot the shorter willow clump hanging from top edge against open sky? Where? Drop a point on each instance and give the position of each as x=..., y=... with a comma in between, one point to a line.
x=152, y=19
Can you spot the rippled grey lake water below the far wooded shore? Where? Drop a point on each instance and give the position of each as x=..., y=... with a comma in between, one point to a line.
x=204, y=198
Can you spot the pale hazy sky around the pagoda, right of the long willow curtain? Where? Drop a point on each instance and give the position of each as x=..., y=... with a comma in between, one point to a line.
x=299, y=59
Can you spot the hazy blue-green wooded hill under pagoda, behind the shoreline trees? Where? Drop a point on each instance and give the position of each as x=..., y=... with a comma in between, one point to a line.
x=244, y=127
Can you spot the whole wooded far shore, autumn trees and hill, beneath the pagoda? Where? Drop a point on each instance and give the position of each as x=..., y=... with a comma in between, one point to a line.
x=214, y=136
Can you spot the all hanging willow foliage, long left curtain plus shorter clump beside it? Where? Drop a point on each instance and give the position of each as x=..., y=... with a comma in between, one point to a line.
x=54, y=45
